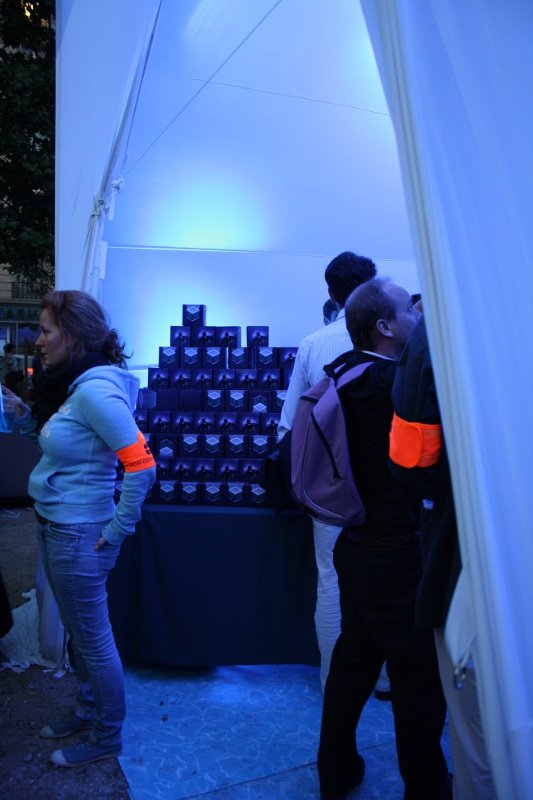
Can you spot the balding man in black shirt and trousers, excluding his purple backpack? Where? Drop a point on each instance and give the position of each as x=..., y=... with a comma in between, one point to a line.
x=379, y=568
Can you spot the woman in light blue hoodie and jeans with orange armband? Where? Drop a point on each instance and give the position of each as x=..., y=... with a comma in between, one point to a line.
x=83, y=420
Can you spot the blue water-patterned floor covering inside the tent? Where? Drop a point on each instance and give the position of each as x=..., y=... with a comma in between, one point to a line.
x=241, y=733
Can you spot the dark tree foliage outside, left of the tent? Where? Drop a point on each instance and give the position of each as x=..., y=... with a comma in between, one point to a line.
x=27, y=120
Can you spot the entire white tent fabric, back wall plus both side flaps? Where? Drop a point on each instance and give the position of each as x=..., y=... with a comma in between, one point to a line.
x=260, y=146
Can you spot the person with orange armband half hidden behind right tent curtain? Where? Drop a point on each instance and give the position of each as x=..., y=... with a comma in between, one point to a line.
x=419, y=459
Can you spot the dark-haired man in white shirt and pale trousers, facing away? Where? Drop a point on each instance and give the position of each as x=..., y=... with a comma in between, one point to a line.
x=343, y=274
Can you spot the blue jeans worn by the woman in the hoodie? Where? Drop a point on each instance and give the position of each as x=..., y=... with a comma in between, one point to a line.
x=77, y=574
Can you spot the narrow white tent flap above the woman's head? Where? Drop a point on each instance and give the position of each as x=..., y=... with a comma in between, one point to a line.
x=101, y=54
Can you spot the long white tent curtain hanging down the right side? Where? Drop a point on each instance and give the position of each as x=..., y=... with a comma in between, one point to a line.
x=458, y=81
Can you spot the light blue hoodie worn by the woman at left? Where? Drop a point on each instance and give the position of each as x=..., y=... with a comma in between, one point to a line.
x=74, y=480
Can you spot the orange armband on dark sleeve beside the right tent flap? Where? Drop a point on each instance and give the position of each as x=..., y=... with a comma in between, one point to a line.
x=414, y=444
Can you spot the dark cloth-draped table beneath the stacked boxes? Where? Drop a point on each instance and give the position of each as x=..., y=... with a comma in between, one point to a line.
x=199, y=586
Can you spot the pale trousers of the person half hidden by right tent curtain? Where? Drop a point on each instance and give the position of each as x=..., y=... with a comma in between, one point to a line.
x=472, y=778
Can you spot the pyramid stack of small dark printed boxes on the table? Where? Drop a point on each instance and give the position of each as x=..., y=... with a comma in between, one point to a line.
x=210, y=412
